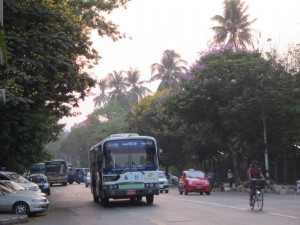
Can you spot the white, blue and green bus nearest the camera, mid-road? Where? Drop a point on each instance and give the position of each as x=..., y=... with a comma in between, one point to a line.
x=124, y=166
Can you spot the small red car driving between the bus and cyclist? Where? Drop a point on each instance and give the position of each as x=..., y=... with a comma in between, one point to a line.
x=194, y=181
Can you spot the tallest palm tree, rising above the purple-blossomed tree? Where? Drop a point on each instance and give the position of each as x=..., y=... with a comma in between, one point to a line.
x=234, y=26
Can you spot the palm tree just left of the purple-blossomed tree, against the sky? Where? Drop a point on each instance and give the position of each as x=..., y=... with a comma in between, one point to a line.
x=169, y=71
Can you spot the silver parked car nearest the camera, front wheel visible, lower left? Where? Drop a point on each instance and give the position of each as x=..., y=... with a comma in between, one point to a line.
x=20, y=203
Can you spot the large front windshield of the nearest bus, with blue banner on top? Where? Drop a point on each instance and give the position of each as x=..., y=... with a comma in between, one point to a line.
x=133, y=155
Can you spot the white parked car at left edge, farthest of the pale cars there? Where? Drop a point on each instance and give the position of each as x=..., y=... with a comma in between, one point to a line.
x=7, y=175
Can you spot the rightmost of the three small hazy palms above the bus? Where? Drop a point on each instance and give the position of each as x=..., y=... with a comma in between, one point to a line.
x=136, y=90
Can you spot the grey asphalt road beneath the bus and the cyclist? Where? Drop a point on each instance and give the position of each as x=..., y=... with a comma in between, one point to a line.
x=73, y=205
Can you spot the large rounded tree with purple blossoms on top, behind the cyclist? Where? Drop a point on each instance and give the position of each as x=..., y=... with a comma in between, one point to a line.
x=227, y=94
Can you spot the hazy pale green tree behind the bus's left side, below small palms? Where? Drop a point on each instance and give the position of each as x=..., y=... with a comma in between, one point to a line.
x=75, y=147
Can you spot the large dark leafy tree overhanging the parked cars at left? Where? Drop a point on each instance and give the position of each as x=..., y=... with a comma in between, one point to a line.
x=48, y=51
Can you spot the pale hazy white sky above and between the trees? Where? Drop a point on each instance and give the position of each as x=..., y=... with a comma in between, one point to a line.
x=184, y=26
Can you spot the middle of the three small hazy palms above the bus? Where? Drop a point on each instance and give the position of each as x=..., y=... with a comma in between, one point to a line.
x=116, y=82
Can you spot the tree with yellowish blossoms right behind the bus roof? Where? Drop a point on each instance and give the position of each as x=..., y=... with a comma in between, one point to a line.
x=149, y=118
